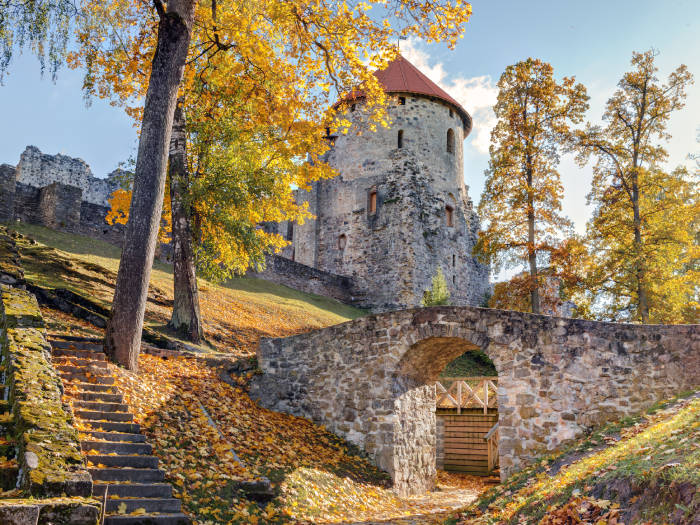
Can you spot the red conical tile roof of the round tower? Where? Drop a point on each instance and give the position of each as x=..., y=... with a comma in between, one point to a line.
x=400, y=76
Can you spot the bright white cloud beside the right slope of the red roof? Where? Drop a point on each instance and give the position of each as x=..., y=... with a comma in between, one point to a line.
x=476, y=94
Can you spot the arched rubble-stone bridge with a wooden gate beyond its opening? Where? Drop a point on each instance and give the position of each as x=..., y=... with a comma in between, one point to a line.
x=367, y=380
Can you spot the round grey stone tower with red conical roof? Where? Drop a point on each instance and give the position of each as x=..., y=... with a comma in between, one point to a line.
x=399, y=209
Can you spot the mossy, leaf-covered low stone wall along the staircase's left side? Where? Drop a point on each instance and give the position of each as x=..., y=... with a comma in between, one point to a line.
x=49, y=455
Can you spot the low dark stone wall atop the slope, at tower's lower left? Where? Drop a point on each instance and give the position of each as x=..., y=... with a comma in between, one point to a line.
x=284, y=271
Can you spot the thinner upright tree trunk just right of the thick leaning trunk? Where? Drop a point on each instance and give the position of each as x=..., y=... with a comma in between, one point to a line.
x=186, y=319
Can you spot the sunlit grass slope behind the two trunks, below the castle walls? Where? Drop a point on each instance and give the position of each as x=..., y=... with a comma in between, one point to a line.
x=235, y=313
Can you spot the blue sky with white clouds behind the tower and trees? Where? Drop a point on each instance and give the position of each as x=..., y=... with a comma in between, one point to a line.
x=591, y=40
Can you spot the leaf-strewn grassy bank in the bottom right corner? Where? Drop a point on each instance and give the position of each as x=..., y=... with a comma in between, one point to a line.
x=643, y=470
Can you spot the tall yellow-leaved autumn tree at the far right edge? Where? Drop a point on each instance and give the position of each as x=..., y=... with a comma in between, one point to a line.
x=642, y=231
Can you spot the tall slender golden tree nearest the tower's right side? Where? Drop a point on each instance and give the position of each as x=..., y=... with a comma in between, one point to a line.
x=521, y=204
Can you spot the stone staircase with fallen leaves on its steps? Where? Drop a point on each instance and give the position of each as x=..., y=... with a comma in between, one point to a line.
x=122, y=463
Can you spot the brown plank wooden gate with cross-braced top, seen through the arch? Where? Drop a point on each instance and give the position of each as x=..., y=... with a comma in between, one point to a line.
x=467, y=424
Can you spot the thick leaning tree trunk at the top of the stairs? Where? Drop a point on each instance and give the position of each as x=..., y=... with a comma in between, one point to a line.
x=123, y=334
